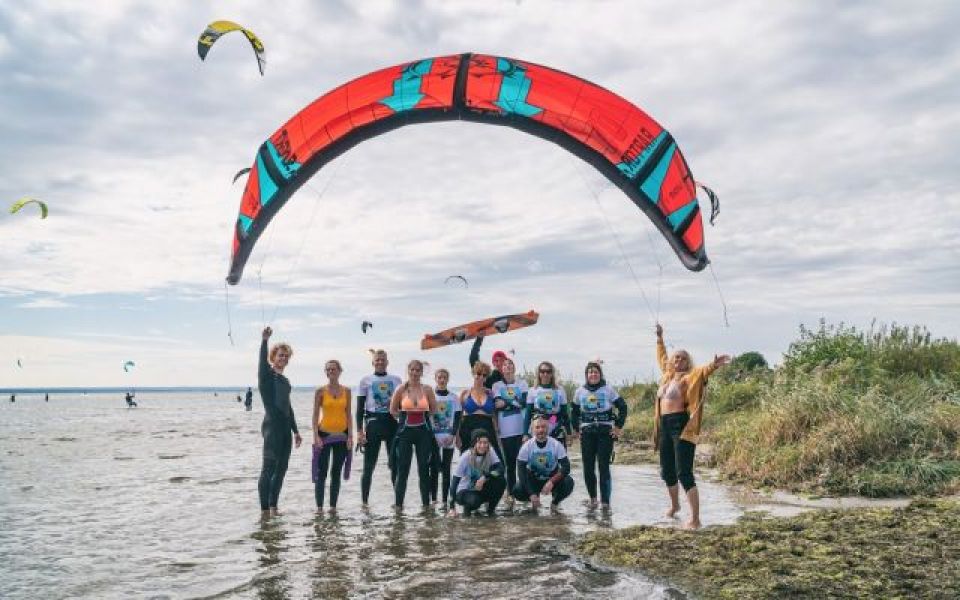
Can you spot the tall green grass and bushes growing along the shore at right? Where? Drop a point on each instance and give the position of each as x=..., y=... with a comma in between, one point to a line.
x=872, y=413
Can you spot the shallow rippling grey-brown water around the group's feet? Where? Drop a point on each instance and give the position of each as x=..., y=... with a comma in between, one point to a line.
x=101, y=501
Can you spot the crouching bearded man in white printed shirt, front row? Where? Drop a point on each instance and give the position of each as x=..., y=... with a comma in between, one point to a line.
x=543, y=468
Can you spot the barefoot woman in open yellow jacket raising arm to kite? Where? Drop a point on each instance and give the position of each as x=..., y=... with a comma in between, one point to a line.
x=678, y=411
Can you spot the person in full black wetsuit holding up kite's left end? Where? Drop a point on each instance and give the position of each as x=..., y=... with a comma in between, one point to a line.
x=278, y=421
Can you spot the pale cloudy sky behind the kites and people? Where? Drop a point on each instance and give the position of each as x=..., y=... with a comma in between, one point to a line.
x=830, y=130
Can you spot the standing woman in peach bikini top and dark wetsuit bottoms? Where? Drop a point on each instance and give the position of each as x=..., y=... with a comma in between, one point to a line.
x=412, y=405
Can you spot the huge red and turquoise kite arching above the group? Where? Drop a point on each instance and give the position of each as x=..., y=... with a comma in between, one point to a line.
x=617, y=138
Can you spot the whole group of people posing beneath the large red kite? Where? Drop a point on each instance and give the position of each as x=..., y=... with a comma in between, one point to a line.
x=512, y=437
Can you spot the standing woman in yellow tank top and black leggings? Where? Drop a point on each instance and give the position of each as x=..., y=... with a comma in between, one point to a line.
x=332, y=433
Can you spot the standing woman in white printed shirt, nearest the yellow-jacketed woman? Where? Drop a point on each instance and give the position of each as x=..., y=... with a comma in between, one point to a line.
x=598, y=415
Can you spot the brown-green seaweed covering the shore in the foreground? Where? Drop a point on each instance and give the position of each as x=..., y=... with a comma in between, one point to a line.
x=910, y=552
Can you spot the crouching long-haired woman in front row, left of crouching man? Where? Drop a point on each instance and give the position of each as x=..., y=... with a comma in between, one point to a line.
x=478, y=479
